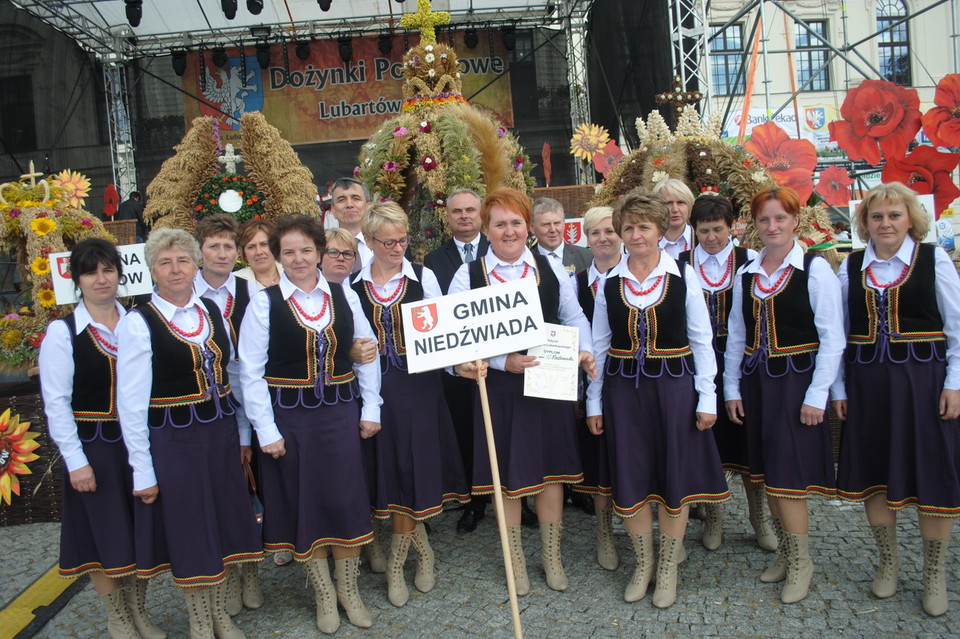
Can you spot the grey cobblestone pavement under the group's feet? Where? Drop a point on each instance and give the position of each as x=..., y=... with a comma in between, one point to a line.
x=719, y=593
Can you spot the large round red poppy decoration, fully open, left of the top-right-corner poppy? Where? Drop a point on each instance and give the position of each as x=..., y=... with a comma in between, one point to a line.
x=877, y=116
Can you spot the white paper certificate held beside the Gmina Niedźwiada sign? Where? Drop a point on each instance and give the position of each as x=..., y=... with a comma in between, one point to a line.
x=557, y=375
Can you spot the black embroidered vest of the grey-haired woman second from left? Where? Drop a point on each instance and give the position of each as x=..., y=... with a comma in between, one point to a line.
x=179, y=379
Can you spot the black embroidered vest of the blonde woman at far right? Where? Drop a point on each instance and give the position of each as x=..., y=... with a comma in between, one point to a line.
x=912, y=316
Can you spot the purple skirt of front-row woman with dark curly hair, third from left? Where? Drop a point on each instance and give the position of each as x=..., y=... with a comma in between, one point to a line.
x=316, y=495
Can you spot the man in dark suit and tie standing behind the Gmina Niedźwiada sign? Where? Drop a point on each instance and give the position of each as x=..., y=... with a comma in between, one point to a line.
x=466, y=245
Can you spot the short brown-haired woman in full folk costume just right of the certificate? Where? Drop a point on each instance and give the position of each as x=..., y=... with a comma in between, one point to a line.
x=656, y=396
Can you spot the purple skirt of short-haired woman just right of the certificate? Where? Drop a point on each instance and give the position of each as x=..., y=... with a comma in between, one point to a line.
x=657, y=454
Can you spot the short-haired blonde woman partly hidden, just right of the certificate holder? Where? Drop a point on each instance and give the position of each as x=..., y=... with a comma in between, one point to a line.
x=607, y=249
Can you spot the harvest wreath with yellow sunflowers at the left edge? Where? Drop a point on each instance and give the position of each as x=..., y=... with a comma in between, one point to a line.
x=38, y=218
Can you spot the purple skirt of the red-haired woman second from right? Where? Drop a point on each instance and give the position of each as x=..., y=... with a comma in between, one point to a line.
x=793, y=460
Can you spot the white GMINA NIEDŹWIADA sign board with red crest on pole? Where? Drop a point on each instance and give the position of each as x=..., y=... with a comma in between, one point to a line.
x=463, y=327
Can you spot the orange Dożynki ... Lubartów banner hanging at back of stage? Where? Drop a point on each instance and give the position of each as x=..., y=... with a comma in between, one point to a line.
x=323, y=99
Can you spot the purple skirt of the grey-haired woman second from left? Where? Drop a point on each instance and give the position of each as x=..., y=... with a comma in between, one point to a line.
x=202, y=520
